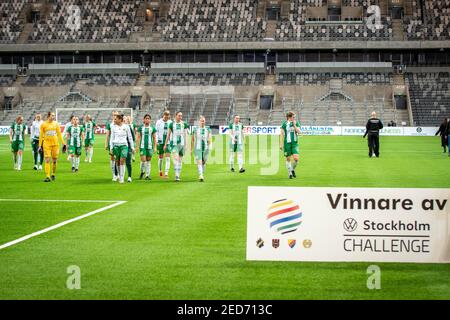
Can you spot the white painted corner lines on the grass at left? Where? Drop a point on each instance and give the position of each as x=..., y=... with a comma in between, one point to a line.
x=62, y=224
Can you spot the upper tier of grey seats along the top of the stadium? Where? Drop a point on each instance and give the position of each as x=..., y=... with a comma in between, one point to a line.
x=105, y=21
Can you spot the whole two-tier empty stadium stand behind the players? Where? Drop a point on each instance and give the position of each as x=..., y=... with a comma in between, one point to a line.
x=216, y=57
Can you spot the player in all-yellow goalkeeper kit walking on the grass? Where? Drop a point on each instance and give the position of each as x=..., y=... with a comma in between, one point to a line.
x=49, y=137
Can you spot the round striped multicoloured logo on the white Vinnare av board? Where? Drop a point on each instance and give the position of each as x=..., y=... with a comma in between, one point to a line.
x=284, y=216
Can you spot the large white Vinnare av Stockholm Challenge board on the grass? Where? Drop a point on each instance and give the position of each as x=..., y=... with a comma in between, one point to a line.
x=348, y=224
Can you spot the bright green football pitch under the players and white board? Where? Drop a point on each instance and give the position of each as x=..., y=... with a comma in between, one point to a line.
x=187, y=240
